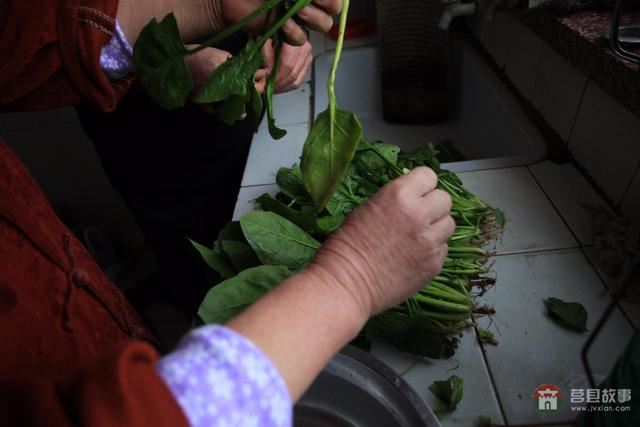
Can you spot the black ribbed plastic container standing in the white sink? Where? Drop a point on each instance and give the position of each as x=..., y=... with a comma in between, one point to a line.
x=414, y=61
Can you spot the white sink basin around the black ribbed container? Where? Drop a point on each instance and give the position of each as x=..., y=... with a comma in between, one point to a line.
x=488, y=125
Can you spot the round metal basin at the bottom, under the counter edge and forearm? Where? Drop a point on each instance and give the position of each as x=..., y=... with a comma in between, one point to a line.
x=357, y=390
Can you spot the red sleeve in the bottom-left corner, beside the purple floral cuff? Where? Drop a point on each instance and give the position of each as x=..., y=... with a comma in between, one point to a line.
x=120, y=389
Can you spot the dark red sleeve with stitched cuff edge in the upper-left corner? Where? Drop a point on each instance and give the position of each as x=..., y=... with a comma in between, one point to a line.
x=51, y=54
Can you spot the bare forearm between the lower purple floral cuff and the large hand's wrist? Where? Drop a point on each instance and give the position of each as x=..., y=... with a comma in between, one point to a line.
x=301, y=324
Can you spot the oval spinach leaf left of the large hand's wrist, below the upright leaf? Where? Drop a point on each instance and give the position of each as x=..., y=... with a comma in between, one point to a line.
x=278, y=241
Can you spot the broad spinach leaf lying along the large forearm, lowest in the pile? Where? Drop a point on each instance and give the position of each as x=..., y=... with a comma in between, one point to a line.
x=230, y=297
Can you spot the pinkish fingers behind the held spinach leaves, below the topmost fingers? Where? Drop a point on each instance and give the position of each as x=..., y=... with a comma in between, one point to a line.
x=294, y=64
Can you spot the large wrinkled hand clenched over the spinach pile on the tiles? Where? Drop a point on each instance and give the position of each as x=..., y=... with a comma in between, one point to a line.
x=392, y=245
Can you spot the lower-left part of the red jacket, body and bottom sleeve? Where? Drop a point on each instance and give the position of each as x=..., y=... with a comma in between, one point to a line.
x=72, y=348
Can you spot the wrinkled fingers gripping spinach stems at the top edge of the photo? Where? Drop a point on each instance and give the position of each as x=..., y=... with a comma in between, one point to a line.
x=317, y=16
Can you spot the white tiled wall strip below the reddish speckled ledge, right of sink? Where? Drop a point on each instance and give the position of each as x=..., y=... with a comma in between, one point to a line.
x=602, y=135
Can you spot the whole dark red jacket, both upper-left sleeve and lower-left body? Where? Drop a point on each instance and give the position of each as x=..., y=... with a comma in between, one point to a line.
x=72, y=350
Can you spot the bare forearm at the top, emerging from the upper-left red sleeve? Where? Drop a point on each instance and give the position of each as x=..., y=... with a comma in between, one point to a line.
x=197, y=19
